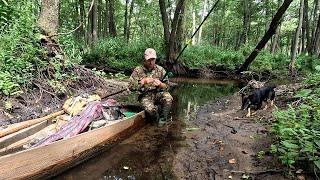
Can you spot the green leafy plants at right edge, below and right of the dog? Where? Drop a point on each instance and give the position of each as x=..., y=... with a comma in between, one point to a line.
x=298, y=130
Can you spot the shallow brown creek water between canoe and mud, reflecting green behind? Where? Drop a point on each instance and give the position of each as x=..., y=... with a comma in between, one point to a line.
x=149, y=153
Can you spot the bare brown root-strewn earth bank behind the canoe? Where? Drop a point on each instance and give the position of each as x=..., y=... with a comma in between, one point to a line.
x=41, y=102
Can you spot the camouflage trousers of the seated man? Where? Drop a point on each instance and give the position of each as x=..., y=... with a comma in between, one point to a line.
x=150, y=102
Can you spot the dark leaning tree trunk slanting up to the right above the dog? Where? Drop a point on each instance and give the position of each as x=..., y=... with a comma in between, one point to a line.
x=272, y=29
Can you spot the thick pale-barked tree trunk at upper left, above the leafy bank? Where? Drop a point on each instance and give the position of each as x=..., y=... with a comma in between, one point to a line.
x=49, y=16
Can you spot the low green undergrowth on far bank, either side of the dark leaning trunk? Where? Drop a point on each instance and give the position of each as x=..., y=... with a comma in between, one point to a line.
x=201, y=56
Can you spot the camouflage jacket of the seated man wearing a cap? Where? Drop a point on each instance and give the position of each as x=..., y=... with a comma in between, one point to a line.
x=141, y=72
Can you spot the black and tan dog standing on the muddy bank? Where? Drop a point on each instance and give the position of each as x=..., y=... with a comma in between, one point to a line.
x=254, y=100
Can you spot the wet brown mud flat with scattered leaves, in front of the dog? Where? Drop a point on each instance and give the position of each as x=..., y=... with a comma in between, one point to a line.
x=226, y=146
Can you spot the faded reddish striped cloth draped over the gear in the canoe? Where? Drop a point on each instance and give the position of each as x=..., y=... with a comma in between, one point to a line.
x=76, y=125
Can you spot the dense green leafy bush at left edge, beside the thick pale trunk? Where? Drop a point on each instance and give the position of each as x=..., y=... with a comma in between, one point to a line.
x=19, y=55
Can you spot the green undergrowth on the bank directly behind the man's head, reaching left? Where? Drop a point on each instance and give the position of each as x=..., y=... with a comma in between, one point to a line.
x=116, y=53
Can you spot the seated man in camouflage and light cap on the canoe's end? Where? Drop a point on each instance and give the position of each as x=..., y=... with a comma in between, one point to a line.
x=148, y=79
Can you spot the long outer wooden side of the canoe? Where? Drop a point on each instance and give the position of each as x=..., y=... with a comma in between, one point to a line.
x=52, y=159
